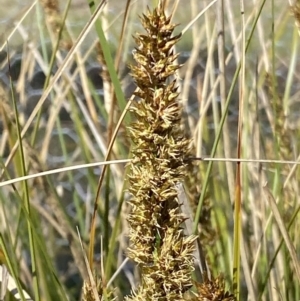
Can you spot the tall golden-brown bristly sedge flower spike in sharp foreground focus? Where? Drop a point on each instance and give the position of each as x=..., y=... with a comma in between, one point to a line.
x=157, y=241
